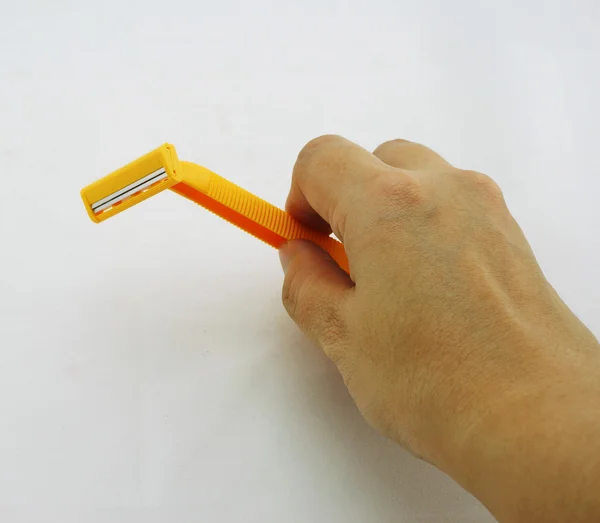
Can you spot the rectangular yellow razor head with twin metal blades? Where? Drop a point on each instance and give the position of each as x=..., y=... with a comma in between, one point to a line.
x=134, y=183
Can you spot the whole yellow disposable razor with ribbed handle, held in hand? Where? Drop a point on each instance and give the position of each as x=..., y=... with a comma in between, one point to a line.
x=161, y=169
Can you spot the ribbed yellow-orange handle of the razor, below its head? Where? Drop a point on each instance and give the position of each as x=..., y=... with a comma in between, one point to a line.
x=258, y=217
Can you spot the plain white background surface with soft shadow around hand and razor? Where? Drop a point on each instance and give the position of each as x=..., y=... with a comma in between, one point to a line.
x=147, y=369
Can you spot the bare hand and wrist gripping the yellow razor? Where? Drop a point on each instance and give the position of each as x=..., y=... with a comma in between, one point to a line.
x=447, y=334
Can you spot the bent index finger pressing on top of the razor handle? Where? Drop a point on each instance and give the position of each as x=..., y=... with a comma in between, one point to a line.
x=327, y=180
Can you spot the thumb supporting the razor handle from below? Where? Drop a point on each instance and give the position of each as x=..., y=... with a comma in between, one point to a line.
x=315, y=292
